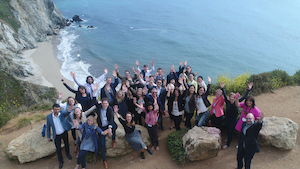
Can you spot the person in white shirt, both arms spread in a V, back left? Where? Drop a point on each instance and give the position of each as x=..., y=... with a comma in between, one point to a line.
x=89, y=85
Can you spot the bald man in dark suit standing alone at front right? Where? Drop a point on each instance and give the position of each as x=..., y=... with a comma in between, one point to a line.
x=247, y=144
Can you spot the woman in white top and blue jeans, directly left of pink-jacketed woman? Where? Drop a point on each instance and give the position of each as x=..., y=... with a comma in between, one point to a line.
x=203, y=103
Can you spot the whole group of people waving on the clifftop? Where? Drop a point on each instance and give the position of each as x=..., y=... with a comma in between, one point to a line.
x=141, y=100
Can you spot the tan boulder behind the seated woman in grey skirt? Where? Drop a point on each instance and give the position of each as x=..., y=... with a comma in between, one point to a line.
x=123, y=146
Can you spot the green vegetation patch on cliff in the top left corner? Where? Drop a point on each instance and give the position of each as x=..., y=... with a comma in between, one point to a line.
x=7, y=15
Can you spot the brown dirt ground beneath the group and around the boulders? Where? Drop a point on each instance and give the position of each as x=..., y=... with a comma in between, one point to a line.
x=282, y=103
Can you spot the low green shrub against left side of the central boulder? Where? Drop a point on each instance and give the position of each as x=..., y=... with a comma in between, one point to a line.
x=175, y=146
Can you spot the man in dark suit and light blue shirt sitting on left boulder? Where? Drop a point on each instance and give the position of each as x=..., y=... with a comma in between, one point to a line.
x=105, y=120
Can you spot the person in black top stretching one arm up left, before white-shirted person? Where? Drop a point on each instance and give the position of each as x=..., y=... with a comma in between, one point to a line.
x=81, y=96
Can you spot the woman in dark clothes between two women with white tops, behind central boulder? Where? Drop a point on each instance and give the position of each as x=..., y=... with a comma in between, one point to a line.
x=190, y=105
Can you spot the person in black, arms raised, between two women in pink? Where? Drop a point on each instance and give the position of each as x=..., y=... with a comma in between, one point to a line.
x=231, y=112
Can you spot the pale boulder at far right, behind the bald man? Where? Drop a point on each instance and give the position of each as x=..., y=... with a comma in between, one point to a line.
x=279, y=132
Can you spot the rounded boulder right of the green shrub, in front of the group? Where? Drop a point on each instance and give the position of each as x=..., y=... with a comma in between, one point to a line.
x=200, y=145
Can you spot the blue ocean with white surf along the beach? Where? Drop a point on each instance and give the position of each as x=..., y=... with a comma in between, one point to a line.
x=215, y=37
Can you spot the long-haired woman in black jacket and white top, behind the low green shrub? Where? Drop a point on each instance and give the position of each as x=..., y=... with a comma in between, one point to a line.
x=175, y=106
